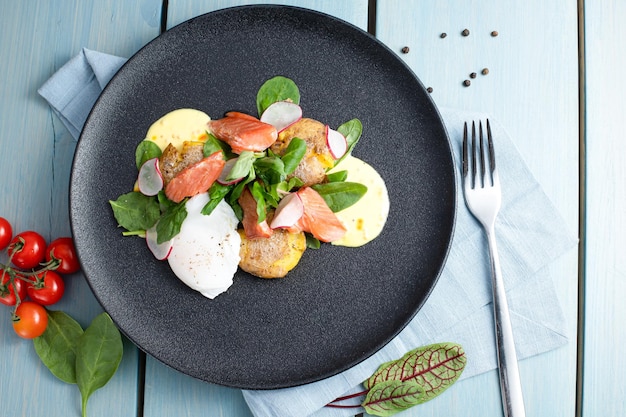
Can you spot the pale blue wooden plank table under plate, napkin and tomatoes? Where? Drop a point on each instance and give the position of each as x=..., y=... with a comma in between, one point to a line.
x=555, y=82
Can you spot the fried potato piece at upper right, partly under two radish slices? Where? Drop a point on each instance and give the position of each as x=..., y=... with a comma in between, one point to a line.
x=317, y=159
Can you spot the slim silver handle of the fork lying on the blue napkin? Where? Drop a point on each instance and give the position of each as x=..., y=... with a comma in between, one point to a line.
x=510, y=385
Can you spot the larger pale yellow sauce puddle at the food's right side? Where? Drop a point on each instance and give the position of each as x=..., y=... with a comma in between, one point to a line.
x=366, y=218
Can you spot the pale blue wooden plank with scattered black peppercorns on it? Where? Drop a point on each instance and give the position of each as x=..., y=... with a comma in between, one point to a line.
x=531, y=89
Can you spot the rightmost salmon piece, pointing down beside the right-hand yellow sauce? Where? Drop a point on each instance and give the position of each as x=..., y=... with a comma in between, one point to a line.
x=318, y=219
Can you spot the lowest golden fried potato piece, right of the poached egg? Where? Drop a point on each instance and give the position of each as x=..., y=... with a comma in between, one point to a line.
x=271, y=257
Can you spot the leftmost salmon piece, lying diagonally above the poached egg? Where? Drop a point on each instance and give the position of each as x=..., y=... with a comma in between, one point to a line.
x=196, y=178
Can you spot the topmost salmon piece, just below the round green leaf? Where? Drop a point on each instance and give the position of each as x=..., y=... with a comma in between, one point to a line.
x=243, y=132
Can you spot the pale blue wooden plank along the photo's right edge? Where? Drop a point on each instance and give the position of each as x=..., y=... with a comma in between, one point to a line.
x=605, y=216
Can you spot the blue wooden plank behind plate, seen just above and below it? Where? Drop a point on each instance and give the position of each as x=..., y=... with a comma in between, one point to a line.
x=169, y=392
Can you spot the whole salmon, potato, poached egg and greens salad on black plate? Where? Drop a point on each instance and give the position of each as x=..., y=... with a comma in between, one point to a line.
x=244, y=192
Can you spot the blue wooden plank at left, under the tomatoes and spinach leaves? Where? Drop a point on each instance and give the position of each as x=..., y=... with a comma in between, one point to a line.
x=35, y=161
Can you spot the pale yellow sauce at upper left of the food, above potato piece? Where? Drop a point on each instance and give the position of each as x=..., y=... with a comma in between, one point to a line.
x=179, y=126
